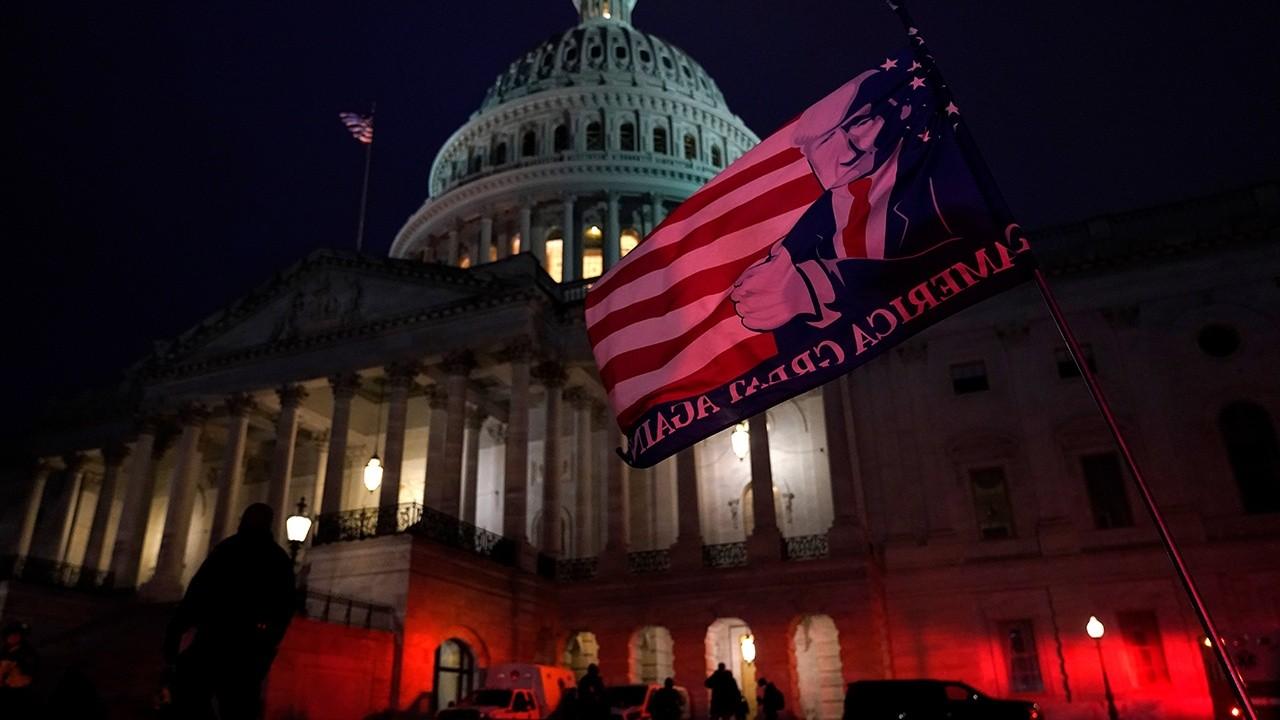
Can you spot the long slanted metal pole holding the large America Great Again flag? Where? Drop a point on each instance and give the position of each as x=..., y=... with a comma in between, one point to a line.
x=990, y=189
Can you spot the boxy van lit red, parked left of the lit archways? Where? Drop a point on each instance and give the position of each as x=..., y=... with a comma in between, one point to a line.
x=514, y=692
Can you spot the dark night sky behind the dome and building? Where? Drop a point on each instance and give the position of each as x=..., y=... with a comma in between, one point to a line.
x=166, y=158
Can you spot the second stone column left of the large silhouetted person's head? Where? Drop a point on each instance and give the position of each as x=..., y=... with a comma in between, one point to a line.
x=167, y=582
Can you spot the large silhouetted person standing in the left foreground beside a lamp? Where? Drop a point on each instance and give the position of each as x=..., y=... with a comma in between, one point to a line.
x=240, y=604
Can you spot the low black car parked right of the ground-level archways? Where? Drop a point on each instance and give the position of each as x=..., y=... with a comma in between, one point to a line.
x=931, y=700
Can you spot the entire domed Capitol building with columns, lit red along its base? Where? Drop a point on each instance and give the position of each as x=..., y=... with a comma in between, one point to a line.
x=953, y=511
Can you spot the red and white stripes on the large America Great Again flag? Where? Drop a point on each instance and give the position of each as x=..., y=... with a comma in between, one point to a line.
x=661, y=322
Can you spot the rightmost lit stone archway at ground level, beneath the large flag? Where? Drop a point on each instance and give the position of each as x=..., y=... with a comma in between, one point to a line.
x=820, y=677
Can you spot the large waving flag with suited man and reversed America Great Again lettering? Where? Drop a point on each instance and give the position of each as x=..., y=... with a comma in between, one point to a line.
x=848, y=231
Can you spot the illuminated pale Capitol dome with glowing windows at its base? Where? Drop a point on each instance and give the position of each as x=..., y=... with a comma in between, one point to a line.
x=579, y=149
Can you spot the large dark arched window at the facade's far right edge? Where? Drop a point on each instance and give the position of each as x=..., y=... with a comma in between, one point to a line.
x=1255, y=457
